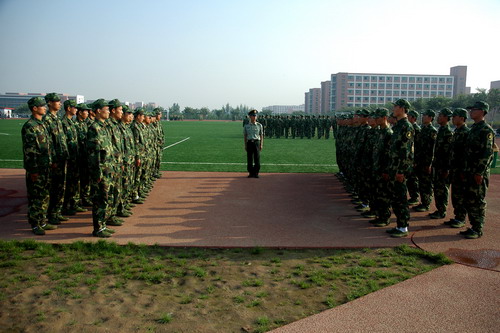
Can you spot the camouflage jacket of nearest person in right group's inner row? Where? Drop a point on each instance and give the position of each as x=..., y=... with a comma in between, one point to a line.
x=401, y=148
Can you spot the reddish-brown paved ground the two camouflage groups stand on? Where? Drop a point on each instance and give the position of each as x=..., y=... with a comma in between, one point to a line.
x=303, y=210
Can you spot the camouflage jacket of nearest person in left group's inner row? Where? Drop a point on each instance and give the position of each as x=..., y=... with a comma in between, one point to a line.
x=100, y=151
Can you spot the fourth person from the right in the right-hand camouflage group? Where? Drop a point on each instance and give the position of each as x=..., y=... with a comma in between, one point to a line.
x=424, y=155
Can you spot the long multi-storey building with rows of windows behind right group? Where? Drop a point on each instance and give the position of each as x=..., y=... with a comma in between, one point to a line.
x=366, y=89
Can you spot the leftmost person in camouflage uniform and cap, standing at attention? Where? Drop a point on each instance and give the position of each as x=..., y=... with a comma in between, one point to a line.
x=37, y=153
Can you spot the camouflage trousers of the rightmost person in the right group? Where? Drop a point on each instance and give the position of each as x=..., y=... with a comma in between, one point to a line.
x=475, y=202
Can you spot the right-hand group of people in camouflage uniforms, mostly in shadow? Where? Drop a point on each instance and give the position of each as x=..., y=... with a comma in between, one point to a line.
x=382, y=165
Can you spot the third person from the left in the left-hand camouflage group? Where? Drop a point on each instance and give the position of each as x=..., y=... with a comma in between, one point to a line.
x=72, y=189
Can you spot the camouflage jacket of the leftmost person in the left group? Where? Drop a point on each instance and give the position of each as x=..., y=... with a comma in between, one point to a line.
x=37, y=147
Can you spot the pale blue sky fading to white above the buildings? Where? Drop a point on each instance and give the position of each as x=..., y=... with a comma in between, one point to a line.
x=258, y=53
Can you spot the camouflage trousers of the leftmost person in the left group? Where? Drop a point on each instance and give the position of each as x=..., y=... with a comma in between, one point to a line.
x=38, y=198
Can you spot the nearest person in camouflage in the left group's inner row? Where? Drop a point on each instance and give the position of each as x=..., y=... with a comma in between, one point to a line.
x=101, y=167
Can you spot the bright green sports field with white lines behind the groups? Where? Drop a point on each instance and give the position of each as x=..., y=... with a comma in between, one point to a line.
x=206, y=146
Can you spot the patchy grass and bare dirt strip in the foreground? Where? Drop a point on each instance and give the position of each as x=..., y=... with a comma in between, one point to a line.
x=151, y=288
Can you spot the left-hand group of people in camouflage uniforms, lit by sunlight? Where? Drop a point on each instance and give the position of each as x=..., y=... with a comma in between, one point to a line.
x=104, y=155
